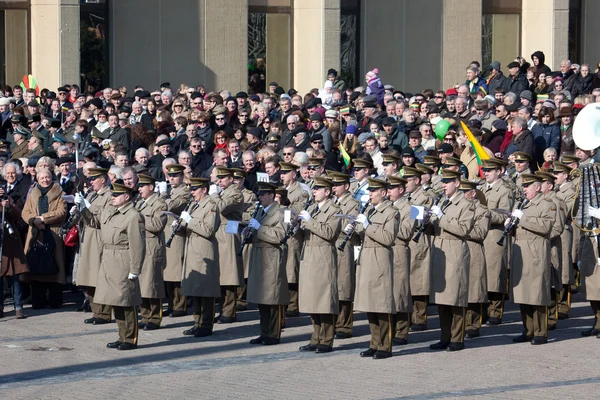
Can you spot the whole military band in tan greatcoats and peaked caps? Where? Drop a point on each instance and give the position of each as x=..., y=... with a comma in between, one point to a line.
x=386, y=245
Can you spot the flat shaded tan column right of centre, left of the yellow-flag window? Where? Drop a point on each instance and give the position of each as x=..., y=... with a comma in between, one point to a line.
x=461, y=39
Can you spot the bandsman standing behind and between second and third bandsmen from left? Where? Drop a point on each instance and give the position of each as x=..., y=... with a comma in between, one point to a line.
x=177, y=200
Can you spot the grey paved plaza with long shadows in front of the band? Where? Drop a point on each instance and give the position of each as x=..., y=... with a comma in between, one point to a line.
x=53, y=355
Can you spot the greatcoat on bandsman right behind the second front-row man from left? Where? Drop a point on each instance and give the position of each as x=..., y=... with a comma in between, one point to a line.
x=230, y=203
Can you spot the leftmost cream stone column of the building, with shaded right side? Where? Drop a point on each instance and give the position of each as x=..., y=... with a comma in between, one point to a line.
x=55, y=42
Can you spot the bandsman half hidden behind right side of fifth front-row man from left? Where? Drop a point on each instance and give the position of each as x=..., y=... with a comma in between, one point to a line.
x=402, y=298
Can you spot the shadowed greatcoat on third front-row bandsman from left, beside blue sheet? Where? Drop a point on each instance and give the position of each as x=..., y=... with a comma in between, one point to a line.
x=267, y=279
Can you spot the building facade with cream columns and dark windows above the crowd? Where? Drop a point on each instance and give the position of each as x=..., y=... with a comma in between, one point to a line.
x=227, y=44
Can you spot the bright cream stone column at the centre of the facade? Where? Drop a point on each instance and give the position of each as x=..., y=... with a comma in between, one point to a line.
x=316, y=42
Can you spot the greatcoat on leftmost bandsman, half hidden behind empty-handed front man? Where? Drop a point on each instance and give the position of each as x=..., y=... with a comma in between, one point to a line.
x=90, y=239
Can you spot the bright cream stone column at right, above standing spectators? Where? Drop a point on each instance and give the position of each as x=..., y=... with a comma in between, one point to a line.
x=547, y=30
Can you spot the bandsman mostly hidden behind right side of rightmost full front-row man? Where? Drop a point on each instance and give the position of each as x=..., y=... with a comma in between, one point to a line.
x=547, y=190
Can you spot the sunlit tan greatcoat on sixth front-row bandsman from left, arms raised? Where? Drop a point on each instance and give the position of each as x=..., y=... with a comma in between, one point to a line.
x=450, y=252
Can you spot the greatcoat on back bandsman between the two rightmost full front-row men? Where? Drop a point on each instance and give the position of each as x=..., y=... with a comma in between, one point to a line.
x=498, y=197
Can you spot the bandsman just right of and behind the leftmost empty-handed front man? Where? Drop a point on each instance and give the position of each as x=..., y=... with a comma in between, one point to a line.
x=152, y=285
